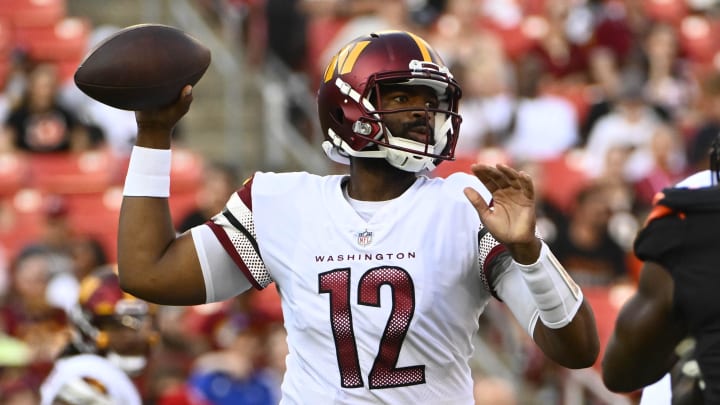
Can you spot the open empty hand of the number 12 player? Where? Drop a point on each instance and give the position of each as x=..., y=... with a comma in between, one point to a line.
x=511, y=219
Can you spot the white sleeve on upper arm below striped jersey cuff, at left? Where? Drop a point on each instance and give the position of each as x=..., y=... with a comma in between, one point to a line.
x=222, y=277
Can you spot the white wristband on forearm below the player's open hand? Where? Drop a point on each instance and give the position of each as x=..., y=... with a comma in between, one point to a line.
x=556, y=295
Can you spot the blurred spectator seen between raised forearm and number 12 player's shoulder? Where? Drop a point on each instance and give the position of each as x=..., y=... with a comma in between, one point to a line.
x=219, y=181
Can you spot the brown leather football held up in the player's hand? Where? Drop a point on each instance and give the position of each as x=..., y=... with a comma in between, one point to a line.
x=142, y=67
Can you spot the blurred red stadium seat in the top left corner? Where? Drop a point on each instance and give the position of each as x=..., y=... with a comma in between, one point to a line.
x=33, y=13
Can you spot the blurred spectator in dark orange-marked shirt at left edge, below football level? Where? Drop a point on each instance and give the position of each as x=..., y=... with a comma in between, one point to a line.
x=38, y=123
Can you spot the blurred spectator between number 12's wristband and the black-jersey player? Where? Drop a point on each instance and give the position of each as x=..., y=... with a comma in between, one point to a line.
x=584, y=245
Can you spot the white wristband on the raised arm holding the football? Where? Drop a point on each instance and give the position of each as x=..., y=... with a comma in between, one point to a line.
x=148, y=173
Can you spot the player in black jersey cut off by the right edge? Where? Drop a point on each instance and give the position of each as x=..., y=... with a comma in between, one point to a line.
x=667, y=334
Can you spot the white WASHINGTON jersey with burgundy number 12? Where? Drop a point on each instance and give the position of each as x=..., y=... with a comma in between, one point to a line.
x=377, y=311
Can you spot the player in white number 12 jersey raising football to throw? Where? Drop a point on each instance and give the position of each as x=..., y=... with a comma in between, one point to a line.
x=384, y=272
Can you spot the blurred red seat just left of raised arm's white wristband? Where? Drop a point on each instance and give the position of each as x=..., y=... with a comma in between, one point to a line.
x=71, y=173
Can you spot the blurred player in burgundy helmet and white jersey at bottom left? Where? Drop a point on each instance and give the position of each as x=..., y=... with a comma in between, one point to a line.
x=112, y=336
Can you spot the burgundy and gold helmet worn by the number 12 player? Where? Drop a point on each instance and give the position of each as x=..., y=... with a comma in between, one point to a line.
x=353, y=125
